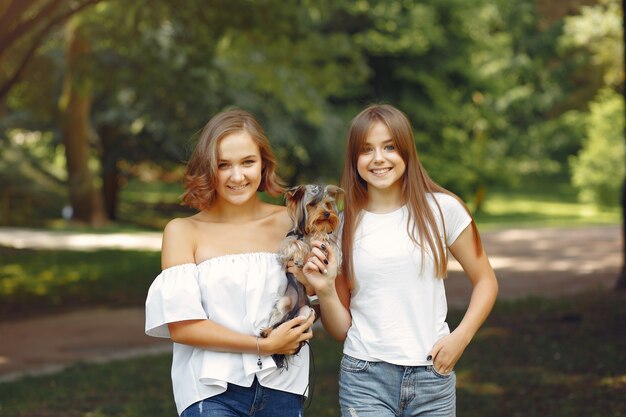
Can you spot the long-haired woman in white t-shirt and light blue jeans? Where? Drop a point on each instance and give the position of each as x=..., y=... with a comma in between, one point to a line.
x=389, y=304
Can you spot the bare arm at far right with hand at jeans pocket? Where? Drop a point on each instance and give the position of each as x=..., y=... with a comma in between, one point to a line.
x=449, y=349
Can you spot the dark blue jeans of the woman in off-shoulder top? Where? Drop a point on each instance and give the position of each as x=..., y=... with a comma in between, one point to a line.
x=257, y=401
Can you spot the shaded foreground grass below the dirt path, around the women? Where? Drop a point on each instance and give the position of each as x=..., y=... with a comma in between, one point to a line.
x=532, y=358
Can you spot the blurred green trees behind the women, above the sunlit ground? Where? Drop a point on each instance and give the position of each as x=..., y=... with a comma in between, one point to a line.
x=100, y=100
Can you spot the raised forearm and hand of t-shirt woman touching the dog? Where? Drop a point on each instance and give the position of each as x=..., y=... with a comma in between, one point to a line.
x=332, y=290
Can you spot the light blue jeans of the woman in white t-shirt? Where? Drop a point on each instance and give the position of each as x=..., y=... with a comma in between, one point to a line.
x=381, y=389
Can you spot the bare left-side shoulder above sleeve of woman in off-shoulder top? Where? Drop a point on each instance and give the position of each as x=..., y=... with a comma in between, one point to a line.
x=179, y=242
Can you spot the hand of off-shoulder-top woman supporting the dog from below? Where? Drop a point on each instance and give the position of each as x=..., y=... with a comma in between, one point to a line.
x=287, y=338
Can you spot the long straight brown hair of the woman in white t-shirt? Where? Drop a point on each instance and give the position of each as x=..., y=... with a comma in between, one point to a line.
x=416, y=185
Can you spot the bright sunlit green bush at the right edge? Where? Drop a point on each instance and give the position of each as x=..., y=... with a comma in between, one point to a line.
x=598, y=171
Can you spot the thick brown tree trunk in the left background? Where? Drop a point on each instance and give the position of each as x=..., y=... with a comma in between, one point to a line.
x=75, y=109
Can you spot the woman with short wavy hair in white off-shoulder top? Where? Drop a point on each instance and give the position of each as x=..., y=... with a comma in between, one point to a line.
x=220, y=278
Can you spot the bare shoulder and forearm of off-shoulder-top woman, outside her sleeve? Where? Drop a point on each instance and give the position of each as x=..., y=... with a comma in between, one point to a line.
x=178, y=248
